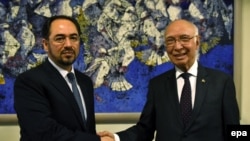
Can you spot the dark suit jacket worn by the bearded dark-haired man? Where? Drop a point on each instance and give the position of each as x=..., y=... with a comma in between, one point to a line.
x=46, y=108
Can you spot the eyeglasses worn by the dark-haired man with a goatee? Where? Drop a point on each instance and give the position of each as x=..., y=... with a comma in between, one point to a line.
x=60, y=39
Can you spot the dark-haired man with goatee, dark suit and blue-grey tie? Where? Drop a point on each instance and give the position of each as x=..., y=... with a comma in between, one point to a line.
x=43, y=97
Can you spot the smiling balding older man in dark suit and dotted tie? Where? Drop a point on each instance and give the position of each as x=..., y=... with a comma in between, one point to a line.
x=212, y=101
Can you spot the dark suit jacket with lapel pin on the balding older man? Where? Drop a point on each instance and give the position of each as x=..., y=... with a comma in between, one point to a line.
x=215, y=107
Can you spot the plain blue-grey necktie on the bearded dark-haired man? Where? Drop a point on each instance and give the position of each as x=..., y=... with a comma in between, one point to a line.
x=76, y=93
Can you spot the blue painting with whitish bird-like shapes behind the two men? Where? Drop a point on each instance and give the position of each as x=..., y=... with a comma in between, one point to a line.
x=122, y=43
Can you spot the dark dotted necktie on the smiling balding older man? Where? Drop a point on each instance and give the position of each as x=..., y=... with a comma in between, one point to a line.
x=186, y=103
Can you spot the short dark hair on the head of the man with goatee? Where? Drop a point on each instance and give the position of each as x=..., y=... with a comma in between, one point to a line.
x=47, y=24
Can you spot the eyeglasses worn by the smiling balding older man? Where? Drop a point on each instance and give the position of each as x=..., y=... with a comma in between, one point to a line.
x=183, y=39
